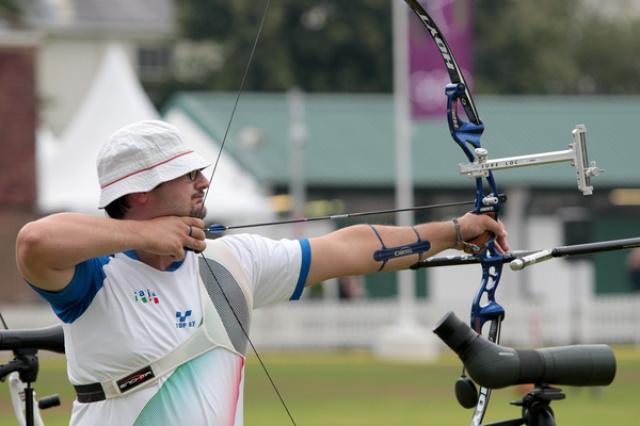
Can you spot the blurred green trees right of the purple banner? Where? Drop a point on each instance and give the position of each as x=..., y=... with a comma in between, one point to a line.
x=555, y=47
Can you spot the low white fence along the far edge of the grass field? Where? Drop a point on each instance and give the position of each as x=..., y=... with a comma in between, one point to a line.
x=335, y=325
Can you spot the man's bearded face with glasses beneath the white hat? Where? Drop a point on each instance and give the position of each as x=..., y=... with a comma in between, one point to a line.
x=183, y=196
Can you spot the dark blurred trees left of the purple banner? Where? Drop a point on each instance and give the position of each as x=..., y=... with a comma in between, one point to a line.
x=327, y=45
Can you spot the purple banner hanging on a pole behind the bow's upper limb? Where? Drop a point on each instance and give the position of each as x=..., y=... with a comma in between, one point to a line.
x=428, y=76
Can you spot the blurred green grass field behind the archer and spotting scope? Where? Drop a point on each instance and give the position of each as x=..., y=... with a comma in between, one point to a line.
x=355, y=388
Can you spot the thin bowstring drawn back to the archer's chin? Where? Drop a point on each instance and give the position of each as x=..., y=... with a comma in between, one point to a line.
x=215, y=167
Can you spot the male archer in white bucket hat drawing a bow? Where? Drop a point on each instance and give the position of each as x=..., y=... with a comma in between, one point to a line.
x=178, y=356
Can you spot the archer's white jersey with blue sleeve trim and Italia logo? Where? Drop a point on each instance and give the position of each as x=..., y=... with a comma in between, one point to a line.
x=120, y=315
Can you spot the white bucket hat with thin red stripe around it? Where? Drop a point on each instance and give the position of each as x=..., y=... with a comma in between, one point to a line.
x=141, y=156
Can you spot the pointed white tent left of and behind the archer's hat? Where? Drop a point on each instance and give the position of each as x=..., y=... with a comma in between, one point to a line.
x=68, y=179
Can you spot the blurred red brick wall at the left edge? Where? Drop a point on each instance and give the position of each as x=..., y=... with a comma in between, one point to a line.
x=18, y=121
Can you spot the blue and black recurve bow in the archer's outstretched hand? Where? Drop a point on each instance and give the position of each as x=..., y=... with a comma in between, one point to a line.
x=467, y=135
